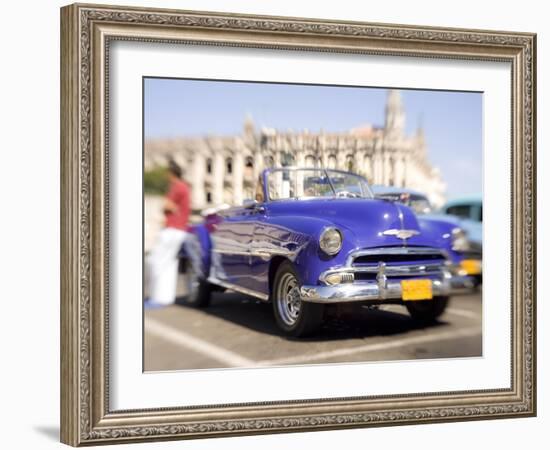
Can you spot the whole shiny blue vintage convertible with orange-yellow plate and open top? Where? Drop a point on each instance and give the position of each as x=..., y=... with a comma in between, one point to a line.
x=314, y=237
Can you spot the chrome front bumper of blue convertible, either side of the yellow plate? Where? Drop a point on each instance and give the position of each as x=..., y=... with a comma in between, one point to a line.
x=372, y=290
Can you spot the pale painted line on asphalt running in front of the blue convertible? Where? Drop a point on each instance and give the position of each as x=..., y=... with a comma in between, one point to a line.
x=467, y=332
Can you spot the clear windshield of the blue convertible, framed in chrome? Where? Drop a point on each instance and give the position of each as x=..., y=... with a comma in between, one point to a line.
x=289, y=183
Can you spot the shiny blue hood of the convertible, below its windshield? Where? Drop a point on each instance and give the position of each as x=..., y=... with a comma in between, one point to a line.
x=364, y=220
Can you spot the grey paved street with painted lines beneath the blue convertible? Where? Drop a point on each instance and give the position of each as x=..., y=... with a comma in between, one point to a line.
x=239, y=331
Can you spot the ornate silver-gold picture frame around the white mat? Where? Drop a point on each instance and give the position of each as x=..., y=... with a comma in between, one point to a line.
x=86, y=34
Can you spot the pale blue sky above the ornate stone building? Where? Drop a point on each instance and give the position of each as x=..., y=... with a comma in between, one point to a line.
x=452, y=121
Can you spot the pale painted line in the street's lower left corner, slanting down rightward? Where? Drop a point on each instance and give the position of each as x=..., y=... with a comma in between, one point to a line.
x=183, y=339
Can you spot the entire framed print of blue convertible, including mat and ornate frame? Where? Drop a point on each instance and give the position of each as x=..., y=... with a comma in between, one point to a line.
x=281, y=224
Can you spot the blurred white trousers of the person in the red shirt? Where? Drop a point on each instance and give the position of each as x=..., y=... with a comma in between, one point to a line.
x=163, y=265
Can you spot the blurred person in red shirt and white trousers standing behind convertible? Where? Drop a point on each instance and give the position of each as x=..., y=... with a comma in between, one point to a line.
x=163, y=260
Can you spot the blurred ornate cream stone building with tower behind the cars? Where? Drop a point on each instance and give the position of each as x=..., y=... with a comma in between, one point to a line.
x=223, y=169
